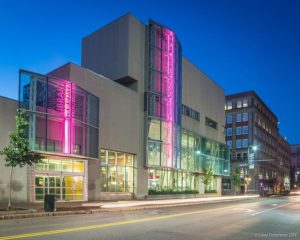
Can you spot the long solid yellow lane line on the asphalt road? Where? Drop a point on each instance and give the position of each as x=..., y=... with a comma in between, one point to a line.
x=68, y=230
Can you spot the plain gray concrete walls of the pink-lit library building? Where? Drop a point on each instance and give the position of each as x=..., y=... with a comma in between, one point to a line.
x=114, y=68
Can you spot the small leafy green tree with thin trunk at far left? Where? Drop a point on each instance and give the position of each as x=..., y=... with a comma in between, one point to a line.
x=17, y=152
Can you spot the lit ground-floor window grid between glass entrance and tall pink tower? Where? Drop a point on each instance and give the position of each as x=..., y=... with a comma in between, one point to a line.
x=118, y=171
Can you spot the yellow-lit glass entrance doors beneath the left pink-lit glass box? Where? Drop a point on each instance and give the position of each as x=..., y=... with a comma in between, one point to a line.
x=62, y=177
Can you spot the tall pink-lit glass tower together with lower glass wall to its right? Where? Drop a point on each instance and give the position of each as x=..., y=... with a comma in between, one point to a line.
x=175, y=156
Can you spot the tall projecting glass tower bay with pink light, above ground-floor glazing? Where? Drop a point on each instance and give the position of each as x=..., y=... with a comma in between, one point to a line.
x=163, y=97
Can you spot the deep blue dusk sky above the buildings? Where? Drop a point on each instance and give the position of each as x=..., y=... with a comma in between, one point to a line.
x=241, y=44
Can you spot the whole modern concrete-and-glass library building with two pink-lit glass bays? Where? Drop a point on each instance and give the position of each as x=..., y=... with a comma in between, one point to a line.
x=135, y=119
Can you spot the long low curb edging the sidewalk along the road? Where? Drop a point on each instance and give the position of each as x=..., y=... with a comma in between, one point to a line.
x=93, y=211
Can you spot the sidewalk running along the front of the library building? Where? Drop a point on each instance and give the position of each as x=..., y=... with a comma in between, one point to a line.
x=73, y=208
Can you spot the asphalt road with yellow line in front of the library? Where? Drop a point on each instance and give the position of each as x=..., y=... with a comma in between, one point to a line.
x=269, y=218
